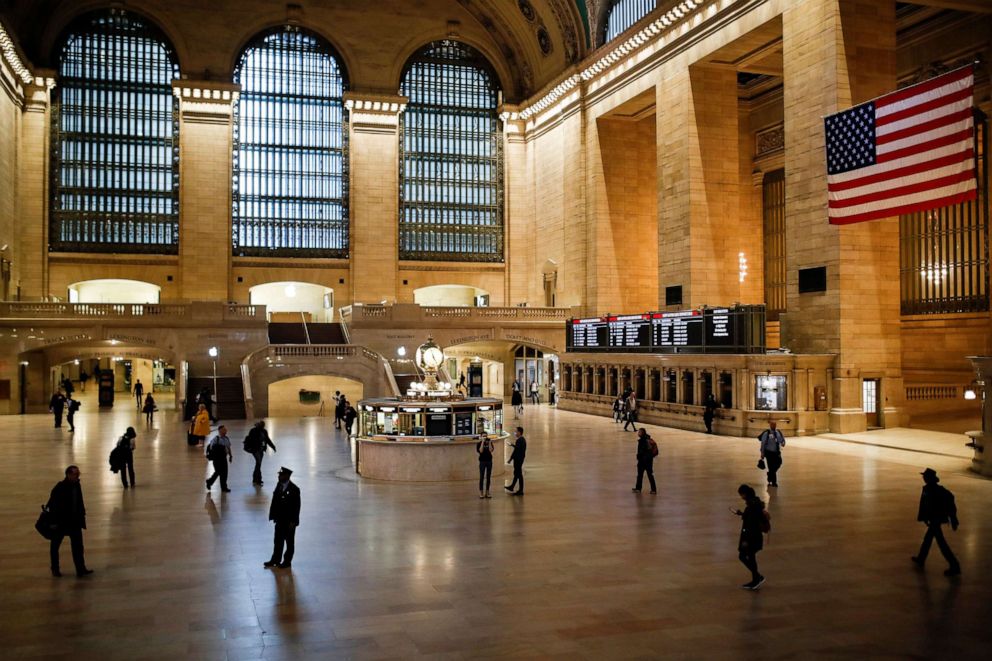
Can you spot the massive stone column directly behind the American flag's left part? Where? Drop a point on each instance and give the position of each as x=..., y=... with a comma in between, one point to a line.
x=839, y=53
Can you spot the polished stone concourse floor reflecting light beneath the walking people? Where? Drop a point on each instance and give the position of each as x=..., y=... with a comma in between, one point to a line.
x=578, y=568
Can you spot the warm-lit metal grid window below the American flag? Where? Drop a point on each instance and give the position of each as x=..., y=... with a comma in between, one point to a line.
x=944, y=253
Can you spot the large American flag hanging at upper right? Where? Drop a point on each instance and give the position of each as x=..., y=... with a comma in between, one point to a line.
x=907, y=151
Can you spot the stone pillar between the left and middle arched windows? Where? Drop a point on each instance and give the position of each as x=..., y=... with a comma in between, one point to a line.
x=205, y=162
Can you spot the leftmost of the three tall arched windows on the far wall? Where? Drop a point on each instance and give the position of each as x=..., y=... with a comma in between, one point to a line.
x=115, y=139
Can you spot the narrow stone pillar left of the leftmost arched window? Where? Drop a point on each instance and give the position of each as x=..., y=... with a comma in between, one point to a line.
x=32, y=190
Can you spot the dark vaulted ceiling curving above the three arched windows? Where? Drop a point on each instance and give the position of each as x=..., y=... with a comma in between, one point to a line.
x=530, y=42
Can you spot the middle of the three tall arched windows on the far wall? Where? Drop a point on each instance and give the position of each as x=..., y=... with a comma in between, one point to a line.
x=290, y=177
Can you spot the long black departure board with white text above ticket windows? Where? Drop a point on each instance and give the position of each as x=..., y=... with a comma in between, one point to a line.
x=736, y=329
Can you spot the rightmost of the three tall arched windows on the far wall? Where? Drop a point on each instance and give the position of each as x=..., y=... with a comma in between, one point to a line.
x=451, y=157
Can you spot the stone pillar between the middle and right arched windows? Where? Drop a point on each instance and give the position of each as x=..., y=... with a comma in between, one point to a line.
x=374, y=147
